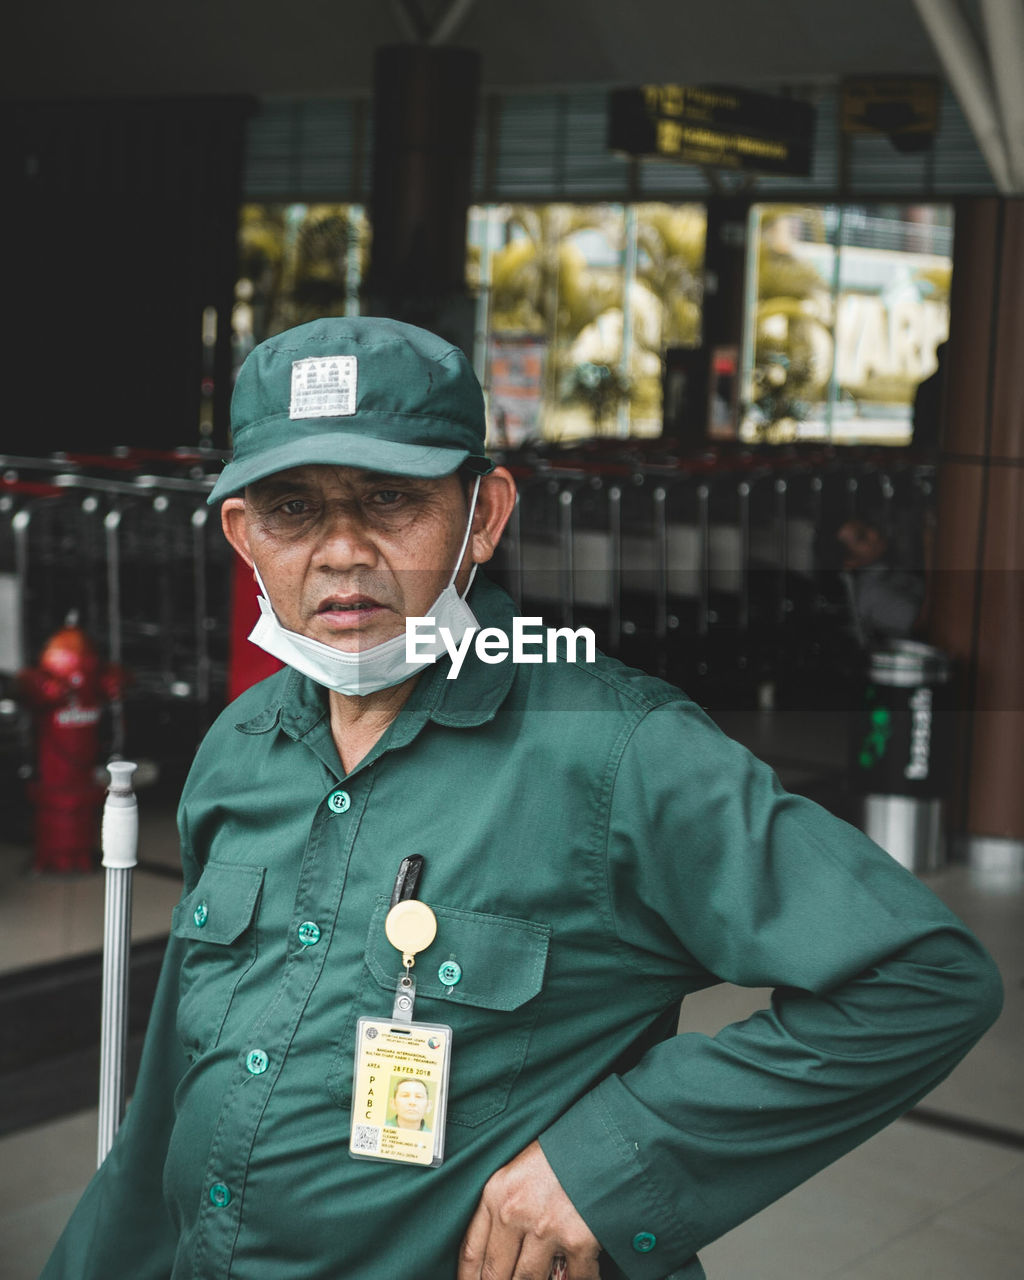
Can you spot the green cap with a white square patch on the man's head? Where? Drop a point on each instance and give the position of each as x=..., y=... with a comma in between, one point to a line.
x=355, y=392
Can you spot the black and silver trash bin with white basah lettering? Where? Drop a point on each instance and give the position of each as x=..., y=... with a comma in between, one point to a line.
x=903, y=747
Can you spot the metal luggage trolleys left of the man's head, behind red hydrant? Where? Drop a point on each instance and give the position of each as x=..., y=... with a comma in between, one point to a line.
x=132, y=554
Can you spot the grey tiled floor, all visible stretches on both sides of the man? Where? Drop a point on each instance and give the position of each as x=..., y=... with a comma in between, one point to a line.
x=917, y=1203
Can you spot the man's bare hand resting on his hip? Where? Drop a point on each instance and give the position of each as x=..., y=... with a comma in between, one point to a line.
x=523, y=1223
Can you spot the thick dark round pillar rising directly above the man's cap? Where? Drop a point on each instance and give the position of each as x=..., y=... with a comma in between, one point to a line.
x=424, y=126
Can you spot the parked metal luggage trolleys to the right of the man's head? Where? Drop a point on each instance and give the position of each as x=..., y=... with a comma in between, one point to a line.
x=715, y=573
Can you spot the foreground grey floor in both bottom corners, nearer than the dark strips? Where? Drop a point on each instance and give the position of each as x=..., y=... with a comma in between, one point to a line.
x=913, y=1204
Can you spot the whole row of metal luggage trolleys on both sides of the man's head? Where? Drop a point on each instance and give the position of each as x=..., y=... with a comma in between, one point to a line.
x=717, y=573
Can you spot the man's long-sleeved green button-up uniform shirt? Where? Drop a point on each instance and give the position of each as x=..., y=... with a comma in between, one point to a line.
x=596, y=849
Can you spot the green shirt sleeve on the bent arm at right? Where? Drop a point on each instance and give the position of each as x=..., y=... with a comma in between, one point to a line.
x=879, y=993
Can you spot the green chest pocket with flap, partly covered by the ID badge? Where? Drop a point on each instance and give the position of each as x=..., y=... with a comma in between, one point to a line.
x=492, y=1007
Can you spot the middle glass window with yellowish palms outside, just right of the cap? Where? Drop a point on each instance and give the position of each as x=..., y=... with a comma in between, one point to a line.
x=575, y=307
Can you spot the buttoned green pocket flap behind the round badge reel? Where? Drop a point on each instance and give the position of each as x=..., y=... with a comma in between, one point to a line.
x=501, y=961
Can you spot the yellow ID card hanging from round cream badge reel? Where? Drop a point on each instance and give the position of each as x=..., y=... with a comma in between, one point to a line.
x=400, y=1092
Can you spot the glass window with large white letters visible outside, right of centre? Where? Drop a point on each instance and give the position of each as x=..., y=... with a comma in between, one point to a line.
x=847, y=305
